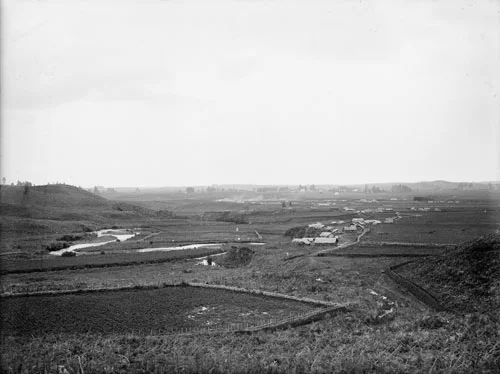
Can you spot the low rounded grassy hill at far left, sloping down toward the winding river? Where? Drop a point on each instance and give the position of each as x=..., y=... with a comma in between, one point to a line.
x=32, y=216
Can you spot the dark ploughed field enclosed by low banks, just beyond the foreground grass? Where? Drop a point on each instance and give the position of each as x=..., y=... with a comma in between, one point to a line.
x=140, y=311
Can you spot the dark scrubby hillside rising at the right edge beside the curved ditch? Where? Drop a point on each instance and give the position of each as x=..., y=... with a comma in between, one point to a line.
x=466, y=278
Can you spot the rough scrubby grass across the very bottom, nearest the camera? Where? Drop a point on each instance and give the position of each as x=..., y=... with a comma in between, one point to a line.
x=411, y=342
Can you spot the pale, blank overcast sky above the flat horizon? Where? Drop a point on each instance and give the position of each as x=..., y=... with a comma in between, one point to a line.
x=176, y=93
